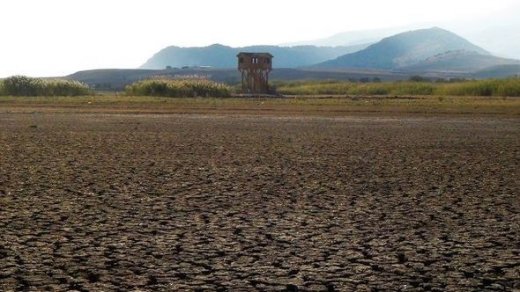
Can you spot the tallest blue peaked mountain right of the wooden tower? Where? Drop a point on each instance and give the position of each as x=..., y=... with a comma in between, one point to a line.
x=404, y=49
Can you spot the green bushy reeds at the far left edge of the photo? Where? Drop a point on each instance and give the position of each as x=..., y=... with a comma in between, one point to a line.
x=27, y=86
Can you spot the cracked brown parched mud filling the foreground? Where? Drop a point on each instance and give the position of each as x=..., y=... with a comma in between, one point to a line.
x=106, y=201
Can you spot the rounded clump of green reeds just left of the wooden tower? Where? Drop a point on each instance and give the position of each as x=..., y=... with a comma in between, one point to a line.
x=178, y=88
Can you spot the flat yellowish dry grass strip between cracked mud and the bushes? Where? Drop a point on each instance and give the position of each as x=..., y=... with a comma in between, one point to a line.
x=316, y=105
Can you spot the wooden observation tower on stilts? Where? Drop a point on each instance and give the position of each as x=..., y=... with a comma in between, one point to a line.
x=255, y=68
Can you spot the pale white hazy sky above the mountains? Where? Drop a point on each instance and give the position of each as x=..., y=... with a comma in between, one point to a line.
x=59, y=37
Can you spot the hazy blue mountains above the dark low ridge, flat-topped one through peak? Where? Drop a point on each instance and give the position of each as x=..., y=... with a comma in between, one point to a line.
x=421, y=51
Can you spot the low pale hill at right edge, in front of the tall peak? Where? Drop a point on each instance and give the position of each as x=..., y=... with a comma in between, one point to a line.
x=459, y=62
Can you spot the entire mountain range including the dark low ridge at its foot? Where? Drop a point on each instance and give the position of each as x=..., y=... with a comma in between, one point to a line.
x=433, y=52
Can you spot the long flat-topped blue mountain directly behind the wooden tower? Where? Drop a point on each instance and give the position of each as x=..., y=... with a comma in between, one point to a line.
x=220, y=56
